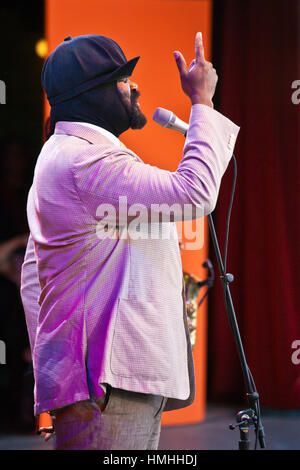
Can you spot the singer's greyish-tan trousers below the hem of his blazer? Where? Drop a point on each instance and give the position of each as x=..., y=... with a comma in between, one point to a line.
x=119, y=420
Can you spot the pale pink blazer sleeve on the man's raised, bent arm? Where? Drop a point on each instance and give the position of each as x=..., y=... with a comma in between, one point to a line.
x=103, y=174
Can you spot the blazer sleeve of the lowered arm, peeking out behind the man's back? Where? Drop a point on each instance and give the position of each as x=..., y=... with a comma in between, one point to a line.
x=30, y=291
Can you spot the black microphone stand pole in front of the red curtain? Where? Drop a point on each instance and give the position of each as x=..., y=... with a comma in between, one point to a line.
x=250, y=416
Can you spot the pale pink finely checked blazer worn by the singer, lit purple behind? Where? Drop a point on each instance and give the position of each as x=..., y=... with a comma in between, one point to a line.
x=103, y=309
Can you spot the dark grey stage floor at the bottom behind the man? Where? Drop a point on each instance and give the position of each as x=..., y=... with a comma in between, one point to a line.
x=282, y=430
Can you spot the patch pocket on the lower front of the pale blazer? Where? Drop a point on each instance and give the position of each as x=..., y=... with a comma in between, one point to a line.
x=141, y=347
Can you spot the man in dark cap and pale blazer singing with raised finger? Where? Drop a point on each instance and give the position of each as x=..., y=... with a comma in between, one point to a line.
x=105, y=309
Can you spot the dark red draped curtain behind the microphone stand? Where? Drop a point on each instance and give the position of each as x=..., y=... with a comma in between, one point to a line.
x=257, y=55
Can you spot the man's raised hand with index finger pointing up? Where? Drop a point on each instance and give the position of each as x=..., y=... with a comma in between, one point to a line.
x=200, y=79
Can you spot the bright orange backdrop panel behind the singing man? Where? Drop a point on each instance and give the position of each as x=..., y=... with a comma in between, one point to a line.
x=152, y=29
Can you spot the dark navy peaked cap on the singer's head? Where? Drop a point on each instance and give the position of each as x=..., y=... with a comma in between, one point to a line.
x=81, y=63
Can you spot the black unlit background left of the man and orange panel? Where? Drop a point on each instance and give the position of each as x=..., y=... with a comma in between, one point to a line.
x=21, y=118
